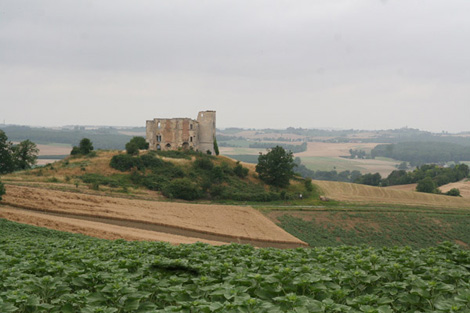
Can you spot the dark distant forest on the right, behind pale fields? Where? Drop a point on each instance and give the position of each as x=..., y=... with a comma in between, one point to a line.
x=418, y=153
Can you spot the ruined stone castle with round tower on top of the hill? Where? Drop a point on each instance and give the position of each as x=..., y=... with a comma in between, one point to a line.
x=182, y=133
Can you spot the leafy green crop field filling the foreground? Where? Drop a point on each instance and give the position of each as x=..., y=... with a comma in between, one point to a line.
x=48, y=271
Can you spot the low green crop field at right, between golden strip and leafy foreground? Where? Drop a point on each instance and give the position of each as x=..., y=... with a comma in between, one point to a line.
x=377, y=227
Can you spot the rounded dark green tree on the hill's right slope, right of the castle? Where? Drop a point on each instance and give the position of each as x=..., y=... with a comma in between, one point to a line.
x=276, y=167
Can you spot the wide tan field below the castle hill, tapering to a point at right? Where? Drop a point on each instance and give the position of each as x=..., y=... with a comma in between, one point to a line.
x=241, y=224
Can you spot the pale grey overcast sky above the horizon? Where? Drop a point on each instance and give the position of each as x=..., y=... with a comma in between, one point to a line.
x=345, y=64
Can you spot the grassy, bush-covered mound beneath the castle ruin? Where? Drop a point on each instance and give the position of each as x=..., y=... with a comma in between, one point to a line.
x=171, y=174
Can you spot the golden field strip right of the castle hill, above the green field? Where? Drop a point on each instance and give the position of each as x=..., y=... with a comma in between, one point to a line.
x=355, y=193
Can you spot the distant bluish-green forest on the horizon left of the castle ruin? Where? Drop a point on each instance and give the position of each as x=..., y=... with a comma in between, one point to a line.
x=102, y=138
